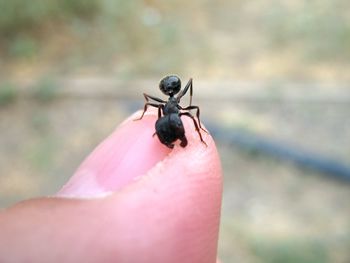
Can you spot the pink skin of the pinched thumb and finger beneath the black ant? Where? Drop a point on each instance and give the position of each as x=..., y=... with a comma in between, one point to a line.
x=131, y=200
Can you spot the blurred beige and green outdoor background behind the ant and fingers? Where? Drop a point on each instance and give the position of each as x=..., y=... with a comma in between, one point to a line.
x=271, y=78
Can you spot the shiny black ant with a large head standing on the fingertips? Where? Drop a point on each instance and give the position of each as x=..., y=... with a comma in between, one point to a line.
x=169, y=126
